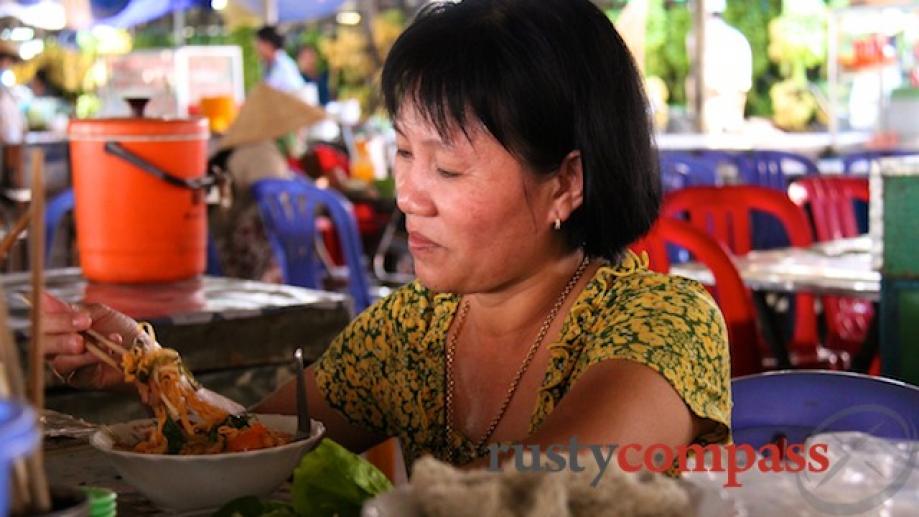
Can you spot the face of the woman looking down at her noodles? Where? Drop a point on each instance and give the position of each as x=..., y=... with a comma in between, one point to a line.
x=477, y=219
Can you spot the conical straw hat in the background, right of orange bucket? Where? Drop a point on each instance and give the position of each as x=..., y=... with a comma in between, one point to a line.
x=268, y=114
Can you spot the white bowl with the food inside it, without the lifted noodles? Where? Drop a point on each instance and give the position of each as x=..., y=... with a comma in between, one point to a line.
x=248, y=455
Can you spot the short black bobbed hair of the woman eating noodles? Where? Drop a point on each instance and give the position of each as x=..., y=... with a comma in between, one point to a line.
x=546, y=78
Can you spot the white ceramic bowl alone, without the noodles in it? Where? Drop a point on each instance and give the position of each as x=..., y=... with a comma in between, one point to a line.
x=204, y=481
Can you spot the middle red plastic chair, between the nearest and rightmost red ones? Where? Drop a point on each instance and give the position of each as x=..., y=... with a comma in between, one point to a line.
x=725, y=213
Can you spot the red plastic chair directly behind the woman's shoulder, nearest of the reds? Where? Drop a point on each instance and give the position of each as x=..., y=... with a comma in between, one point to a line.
x=747, y=345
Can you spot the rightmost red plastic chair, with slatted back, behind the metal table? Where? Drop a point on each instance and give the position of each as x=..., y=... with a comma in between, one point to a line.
x=830, y=200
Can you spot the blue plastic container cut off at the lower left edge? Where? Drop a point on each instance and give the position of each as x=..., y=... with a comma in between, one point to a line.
x=18, y=436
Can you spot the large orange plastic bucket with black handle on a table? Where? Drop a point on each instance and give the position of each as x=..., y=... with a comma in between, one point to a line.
x=139, y=188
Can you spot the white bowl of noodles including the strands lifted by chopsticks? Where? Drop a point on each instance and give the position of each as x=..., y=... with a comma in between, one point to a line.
x=199, y=450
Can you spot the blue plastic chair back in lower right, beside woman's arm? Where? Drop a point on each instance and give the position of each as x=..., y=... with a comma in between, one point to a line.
x=797, y=404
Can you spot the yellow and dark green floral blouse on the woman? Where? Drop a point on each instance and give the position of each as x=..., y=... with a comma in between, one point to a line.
x=385, y=371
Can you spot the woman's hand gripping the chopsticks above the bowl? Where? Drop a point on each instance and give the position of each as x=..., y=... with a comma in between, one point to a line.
x=65, y=348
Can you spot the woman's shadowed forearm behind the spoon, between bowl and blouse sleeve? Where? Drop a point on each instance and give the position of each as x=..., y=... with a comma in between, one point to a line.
x=284, y=401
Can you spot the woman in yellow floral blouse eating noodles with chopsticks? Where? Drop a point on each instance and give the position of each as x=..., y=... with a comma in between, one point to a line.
x=525, y=167
